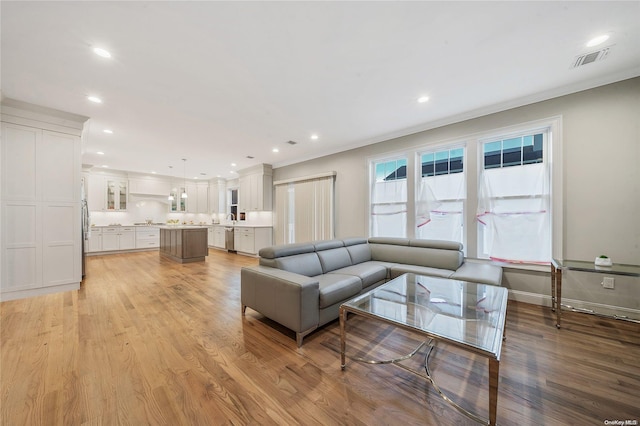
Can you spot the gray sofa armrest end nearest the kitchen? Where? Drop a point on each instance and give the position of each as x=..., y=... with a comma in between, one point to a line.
x=286, y=297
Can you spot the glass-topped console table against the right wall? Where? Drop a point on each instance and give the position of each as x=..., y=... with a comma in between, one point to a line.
x=557, y=266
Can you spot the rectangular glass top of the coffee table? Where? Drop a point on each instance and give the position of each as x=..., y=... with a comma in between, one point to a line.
x=469, y=314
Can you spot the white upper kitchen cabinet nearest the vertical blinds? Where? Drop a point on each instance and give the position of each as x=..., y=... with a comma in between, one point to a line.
x=256, y=188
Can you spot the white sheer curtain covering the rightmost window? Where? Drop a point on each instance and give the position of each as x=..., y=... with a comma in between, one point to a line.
x=513, y=212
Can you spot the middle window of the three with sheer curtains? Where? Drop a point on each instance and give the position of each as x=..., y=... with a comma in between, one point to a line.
x=440, y=196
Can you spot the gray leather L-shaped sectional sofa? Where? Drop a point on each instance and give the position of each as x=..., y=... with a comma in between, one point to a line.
x=302, y=286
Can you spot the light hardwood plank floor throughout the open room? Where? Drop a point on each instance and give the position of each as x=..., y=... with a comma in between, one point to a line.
x=149, y=341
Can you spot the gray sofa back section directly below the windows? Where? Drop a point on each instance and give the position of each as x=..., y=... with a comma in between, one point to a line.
x=430, y=253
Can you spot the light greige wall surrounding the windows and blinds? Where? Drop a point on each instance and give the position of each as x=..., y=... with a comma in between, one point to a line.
x=601, y=162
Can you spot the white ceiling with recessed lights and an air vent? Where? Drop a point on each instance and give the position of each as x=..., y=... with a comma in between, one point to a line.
x=217, y=82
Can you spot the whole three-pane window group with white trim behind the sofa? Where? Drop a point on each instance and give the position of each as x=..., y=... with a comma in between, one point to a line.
x=513, y=176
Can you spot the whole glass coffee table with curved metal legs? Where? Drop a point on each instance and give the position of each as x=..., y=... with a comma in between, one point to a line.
x=468, y=315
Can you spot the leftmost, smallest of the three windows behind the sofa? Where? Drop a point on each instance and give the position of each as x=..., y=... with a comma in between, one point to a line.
x=389, y=198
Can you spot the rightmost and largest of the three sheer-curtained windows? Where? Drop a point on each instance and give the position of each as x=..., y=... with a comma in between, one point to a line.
x=514, y=219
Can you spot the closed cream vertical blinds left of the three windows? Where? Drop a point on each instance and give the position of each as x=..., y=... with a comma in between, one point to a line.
x=305, y=210
